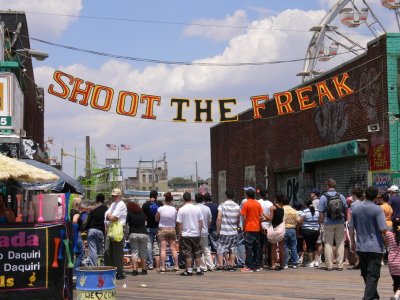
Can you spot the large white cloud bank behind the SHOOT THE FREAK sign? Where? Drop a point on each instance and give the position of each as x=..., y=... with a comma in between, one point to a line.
x=184, y=143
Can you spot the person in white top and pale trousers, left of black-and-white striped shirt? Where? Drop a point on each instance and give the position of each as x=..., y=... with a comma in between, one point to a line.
x=206, y=258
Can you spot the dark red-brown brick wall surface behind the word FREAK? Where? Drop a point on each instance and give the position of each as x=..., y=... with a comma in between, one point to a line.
x=276, y=142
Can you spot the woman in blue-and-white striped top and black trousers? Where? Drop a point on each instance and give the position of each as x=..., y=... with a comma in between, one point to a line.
x=310, y=230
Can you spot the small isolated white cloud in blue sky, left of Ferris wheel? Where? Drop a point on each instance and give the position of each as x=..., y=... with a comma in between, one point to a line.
x=219, y=32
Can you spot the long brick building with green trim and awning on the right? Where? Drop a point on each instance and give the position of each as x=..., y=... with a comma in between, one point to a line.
x=353, y=139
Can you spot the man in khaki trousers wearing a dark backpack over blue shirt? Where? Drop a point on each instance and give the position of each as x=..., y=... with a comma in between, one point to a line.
x=332, y=211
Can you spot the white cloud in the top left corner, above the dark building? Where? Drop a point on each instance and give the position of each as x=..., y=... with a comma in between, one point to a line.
x=45, y=24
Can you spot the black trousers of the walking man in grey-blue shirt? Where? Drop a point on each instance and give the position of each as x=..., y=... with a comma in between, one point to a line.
x=370, y=266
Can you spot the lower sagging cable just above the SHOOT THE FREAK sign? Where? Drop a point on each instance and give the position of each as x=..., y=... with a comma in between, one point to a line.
x=170, y=62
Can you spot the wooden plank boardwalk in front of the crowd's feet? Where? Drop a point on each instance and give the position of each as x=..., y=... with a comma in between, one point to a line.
x=301, y=283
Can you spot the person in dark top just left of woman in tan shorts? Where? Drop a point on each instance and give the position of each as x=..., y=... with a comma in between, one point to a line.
x=150, y=210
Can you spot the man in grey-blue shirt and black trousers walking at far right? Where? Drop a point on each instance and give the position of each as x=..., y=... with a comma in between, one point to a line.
x=368, y=220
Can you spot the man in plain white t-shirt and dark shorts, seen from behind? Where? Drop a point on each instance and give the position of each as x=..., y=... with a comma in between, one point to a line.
x=190, y=224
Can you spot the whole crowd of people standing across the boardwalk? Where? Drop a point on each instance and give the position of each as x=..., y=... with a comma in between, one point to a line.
x=253, y=234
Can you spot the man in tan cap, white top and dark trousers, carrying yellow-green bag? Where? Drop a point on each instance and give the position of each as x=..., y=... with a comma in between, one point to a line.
x=114, y=251
